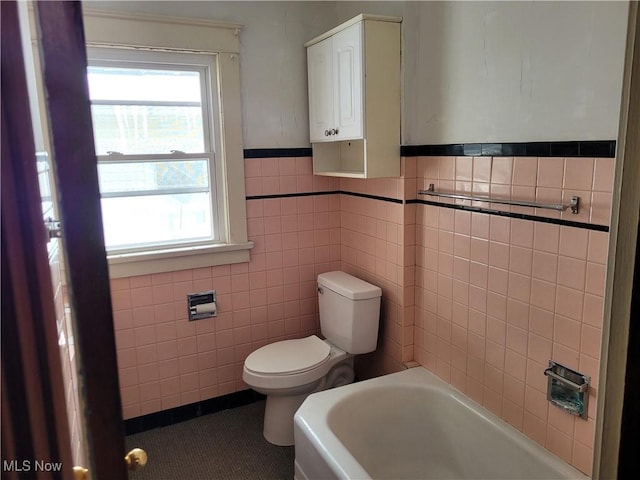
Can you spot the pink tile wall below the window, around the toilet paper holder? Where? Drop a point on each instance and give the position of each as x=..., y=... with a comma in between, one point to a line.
x=165, y=361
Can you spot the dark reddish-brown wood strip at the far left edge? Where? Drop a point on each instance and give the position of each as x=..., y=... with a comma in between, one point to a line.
x=34, y=416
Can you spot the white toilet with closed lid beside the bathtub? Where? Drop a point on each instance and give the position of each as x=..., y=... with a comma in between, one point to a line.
x=290, y=370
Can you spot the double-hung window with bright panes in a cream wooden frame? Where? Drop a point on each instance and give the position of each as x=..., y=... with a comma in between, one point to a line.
x=153, y=123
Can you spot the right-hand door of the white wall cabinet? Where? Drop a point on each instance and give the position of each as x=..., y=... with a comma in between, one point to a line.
x=348, y=83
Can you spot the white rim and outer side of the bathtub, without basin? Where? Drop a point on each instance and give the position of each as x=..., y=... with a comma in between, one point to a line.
x=313, y=433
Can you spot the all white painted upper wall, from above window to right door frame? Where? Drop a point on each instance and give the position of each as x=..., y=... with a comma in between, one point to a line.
x=473, y=71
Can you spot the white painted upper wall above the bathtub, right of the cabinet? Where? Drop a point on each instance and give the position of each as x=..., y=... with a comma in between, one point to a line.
x=508, y=71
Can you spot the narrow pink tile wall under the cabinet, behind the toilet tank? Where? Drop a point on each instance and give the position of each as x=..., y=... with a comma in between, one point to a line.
x=378, y=246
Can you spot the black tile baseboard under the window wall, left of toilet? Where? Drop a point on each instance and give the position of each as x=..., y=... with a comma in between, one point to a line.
x=188, y=412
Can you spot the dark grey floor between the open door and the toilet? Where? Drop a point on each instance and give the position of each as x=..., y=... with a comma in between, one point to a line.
x=224, y=445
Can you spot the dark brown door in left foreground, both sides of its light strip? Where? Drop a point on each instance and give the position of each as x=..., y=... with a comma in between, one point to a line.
x=34, y=412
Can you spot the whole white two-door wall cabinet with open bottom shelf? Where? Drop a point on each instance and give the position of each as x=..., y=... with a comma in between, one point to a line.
x=354, y=98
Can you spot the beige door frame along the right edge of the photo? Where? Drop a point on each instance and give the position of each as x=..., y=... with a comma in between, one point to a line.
x=616, y=433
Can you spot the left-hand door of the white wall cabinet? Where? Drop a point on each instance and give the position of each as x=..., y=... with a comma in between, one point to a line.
x=320, y=73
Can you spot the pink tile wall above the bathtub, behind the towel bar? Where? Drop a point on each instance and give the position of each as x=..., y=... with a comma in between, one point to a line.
x=496, y=297
